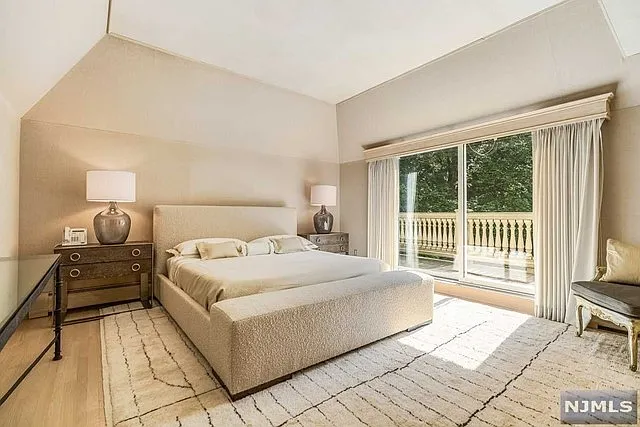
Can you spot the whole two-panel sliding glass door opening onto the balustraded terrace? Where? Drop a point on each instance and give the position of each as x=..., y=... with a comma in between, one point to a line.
x=466, y=213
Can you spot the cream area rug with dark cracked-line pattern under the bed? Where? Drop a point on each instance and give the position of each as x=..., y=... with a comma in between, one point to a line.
x=474, y=365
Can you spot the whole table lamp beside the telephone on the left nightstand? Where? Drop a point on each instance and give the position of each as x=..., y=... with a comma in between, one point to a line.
x=111, y=225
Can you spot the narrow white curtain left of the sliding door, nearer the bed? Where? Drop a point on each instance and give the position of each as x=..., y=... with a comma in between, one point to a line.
x=383, y=210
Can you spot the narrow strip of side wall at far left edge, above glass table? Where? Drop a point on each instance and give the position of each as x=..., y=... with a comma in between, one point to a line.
x=9, y=178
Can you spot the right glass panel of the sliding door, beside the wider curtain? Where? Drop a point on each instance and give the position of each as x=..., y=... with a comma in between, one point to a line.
x=499, y=214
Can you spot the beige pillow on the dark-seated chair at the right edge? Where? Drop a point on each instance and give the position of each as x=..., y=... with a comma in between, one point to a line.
x=623, y=263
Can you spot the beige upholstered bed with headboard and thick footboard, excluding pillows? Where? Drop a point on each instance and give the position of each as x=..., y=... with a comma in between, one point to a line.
x=259, y=319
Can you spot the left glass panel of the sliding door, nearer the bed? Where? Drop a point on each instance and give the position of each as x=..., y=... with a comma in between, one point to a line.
x=428, y=213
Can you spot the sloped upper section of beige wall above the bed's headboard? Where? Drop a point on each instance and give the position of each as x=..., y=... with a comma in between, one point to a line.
x=125, y=87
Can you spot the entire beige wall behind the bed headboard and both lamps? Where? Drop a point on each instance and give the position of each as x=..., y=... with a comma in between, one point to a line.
x=192, y=133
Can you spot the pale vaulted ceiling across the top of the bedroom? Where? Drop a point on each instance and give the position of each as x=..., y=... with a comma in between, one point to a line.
x=327, y=49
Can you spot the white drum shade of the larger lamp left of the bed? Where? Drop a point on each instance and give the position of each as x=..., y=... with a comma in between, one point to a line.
x=111, y=186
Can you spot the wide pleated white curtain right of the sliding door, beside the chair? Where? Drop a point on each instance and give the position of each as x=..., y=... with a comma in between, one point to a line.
x=567, y=191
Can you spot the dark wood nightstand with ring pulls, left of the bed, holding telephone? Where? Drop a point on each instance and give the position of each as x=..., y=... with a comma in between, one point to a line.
x=97, y=274
